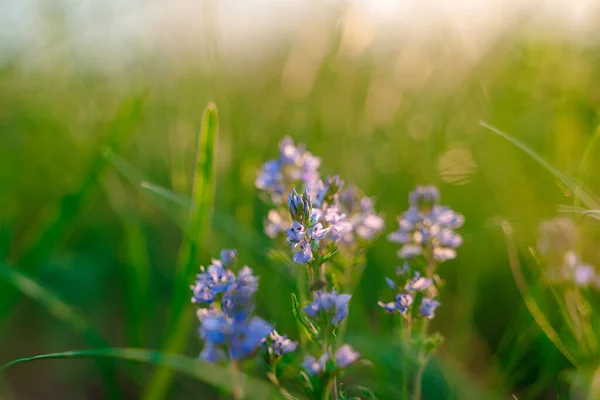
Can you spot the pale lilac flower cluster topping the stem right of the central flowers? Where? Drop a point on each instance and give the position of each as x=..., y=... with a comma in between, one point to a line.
x=428, y=226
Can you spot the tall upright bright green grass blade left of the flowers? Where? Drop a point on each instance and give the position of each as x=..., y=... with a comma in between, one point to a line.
x=200, y=210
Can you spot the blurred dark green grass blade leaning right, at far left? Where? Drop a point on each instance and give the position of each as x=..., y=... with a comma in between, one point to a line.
x=64, y=214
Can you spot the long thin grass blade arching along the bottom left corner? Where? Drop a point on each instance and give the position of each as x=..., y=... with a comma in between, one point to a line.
x=212, y=374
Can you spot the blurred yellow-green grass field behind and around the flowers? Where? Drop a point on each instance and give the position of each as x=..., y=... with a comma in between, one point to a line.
x=90, y=245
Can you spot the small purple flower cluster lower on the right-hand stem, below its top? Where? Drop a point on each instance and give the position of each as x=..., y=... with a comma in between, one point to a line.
x=417, y=286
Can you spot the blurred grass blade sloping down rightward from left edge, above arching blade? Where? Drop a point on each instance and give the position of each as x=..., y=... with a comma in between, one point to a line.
x=66, y=313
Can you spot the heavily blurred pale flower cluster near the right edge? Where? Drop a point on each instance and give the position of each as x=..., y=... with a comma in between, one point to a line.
x=557, y=244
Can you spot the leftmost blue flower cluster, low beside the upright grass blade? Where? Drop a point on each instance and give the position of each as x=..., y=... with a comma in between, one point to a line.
x=226, y=322
